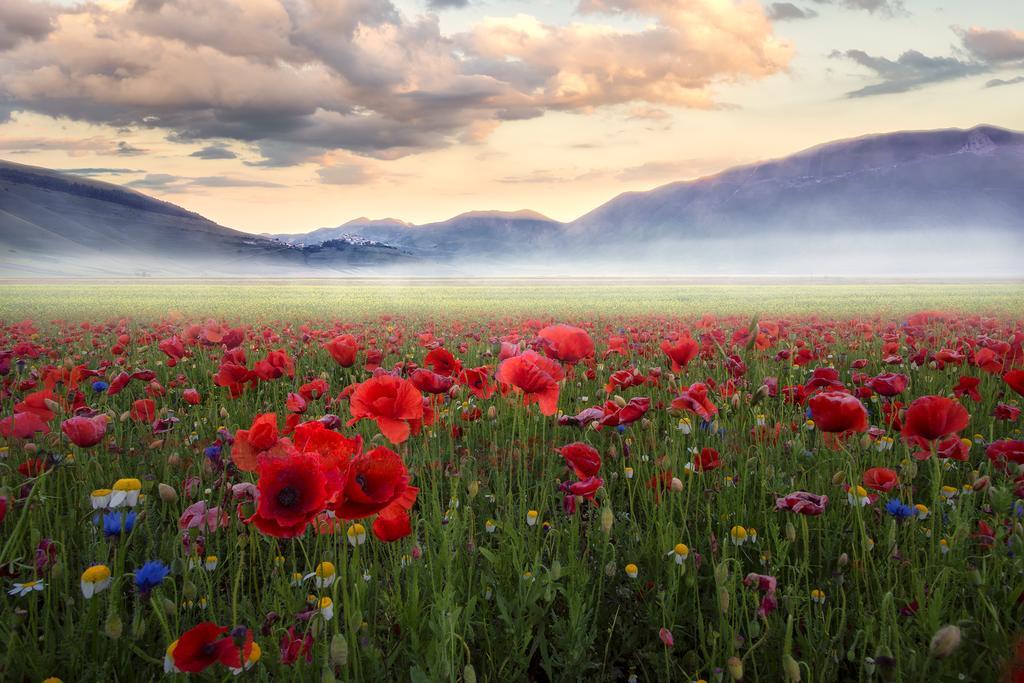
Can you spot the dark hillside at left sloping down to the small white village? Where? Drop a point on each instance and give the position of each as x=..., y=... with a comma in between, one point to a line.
x=56, y=225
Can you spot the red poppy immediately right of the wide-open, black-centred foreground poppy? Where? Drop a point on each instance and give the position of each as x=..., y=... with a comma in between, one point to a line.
x=373, y=482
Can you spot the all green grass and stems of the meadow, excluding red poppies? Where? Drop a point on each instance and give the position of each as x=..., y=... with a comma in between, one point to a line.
x=453, y=603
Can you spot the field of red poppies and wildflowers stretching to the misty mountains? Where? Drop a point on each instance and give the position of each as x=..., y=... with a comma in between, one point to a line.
x=581, y=489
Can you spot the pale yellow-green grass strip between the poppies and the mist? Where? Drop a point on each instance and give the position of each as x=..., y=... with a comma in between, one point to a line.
x=466, y=298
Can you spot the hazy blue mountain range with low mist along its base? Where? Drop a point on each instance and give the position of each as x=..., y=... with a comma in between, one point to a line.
x=923, y=203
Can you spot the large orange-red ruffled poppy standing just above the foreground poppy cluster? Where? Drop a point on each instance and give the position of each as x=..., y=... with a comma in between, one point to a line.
x=396, y=405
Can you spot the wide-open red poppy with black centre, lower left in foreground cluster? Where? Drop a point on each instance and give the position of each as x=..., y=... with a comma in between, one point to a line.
x=292, y=491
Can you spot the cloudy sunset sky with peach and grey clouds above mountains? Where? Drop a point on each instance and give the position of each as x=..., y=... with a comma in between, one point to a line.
x=288, y=115
